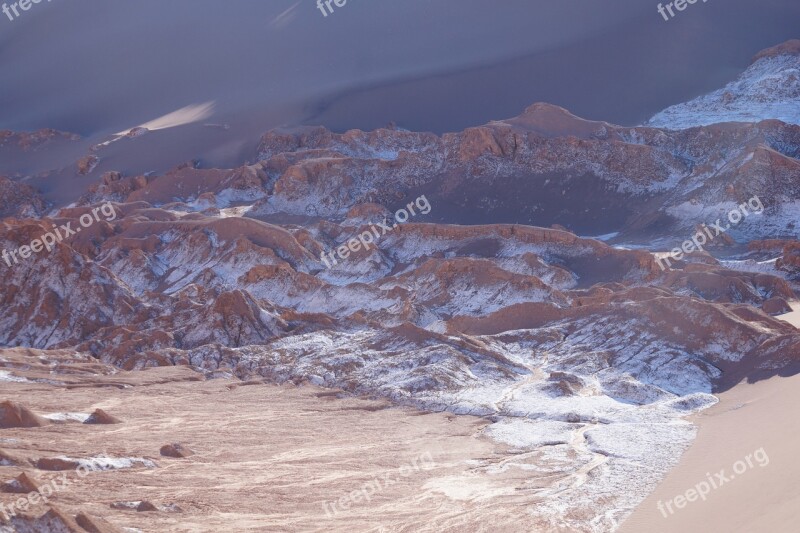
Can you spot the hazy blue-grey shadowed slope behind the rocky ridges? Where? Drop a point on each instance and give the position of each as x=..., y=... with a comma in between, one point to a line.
x=99, y=66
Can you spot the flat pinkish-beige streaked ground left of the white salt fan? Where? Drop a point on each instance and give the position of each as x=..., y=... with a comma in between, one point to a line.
x=267, y=456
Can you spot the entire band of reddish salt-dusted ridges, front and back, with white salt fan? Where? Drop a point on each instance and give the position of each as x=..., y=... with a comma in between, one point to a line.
x=467, y=306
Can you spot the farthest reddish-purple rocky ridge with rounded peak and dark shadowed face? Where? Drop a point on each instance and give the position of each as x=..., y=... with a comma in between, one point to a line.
x=542, y=168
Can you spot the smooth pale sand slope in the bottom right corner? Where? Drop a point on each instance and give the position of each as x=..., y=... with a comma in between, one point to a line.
x=763, y=498
